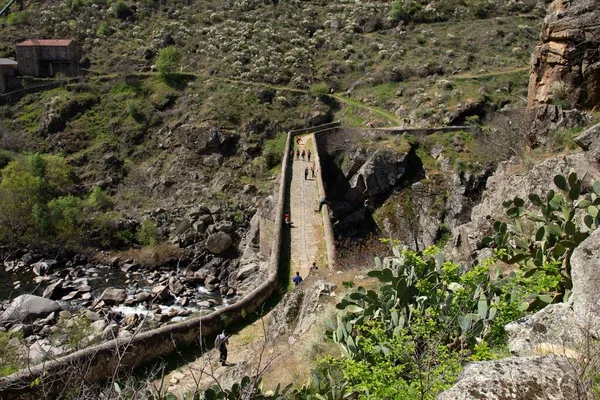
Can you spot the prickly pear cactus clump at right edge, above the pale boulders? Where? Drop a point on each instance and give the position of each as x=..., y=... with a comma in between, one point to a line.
x=541, y=242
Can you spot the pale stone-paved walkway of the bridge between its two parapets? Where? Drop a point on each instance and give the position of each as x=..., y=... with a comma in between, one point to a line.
x=307, y=237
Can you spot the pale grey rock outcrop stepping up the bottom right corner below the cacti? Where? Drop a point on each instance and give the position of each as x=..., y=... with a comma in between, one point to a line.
x=547, y=342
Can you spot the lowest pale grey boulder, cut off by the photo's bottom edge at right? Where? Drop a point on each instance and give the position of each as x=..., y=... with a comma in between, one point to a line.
x=516, y=378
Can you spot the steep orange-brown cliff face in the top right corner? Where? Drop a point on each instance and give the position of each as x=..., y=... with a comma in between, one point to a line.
x=569, y=54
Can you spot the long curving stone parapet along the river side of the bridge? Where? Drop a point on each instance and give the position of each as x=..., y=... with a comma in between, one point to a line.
x=99, y=362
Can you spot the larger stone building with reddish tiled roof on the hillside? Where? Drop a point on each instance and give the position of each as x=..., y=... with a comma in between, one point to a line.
x=47, y=57
